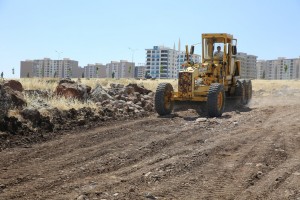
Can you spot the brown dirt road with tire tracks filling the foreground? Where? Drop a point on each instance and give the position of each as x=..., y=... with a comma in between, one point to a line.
x=248, y=153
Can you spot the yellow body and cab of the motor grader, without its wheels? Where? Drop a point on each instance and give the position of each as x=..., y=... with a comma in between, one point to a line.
x=195, y=79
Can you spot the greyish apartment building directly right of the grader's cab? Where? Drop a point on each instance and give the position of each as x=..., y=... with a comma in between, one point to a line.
x=248, y=65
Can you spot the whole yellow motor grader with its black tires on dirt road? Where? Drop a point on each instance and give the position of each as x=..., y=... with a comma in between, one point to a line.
x=213, y=80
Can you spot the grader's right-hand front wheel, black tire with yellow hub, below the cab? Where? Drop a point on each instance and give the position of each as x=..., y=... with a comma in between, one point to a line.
x=215, y=100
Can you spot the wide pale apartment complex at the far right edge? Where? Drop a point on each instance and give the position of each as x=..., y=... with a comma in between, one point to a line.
x=282, y=68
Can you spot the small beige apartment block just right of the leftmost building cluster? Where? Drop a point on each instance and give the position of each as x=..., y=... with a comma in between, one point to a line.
x=97, y=70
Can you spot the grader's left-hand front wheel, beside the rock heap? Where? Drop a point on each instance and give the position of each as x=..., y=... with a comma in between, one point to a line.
x=163, y=99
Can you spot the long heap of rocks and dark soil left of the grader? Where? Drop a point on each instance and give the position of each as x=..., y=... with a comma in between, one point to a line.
x=39, y=120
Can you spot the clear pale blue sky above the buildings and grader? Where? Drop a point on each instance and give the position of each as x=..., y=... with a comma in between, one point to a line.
x=100, y=31
